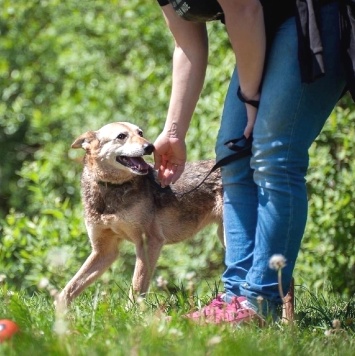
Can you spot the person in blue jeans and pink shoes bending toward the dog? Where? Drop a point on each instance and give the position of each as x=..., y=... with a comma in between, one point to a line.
x=290, y=73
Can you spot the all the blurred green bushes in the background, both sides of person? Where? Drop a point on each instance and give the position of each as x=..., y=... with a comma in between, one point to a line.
x=70, y=66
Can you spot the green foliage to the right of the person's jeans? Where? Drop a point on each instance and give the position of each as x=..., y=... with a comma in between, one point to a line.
x=327, y=252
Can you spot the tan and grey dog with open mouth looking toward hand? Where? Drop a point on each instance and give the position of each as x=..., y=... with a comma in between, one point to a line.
x=123, y=200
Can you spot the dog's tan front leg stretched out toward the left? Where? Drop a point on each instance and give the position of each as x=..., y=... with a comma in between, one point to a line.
x=103, y=254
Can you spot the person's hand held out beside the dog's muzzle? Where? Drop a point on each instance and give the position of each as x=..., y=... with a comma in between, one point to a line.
x=170, y=158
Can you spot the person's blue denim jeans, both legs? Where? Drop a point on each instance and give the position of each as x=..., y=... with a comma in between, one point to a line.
x=265, y=197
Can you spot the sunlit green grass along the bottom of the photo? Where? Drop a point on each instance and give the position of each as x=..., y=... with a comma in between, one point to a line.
x=99, y=323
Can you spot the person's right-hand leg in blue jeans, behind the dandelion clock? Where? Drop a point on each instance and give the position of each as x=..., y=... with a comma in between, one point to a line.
x=290, y=117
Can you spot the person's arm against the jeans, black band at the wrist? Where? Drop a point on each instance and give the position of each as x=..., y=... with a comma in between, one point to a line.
x=246, y=30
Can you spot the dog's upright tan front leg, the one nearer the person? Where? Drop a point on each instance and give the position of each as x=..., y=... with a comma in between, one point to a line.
x=147, y=253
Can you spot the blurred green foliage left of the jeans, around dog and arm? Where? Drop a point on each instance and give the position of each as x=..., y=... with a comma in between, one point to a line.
x=69, y=67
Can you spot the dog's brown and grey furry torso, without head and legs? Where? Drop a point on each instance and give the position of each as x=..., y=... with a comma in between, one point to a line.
x=180, y=210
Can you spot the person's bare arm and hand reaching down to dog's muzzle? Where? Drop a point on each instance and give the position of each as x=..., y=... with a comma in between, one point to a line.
x=189, y=68
